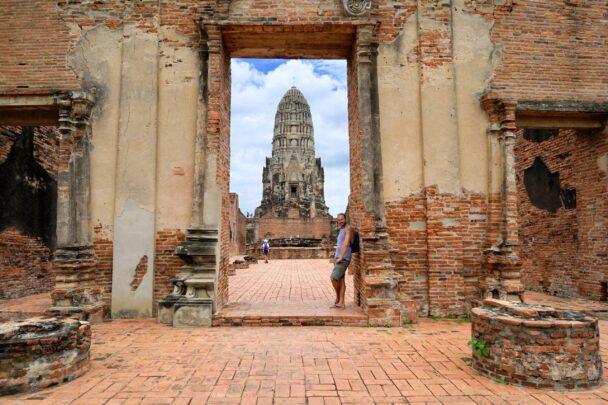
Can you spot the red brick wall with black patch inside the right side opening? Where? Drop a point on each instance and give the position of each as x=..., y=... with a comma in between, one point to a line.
x=564, y=253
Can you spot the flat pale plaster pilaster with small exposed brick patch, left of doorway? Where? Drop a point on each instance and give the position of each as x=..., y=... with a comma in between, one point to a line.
x=135, y=204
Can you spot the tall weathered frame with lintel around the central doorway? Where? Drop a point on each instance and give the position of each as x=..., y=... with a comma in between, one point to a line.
x=376, y=280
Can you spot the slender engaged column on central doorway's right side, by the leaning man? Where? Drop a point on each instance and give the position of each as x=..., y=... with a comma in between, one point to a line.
x=380, y=281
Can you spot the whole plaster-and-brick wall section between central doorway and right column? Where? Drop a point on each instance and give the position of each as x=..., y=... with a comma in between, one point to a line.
x=435, y=153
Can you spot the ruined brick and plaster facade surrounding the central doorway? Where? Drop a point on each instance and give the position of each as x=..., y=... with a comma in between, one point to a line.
x=463, y=116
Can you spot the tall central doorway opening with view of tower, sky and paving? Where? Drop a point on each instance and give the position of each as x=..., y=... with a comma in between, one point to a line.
x=289, y=179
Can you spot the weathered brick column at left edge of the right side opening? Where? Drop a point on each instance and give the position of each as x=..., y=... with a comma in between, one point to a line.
x=501, y=274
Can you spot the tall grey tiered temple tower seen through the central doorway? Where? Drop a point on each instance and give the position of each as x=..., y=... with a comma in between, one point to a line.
x=293, y=210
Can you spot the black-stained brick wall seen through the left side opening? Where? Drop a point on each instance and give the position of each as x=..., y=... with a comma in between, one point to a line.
x=28, y=192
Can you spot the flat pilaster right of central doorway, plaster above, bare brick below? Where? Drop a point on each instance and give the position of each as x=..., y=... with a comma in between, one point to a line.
x=441, y=155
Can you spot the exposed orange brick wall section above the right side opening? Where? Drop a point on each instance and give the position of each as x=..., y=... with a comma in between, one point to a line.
x=550, y=50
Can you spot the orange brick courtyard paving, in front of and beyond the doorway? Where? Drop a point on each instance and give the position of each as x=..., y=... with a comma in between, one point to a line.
x=143, y=362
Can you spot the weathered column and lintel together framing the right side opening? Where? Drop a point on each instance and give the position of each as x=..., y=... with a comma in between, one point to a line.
x=501, y=275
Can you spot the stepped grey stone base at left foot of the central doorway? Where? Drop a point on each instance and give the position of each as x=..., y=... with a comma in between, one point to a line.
x=191, y=303
